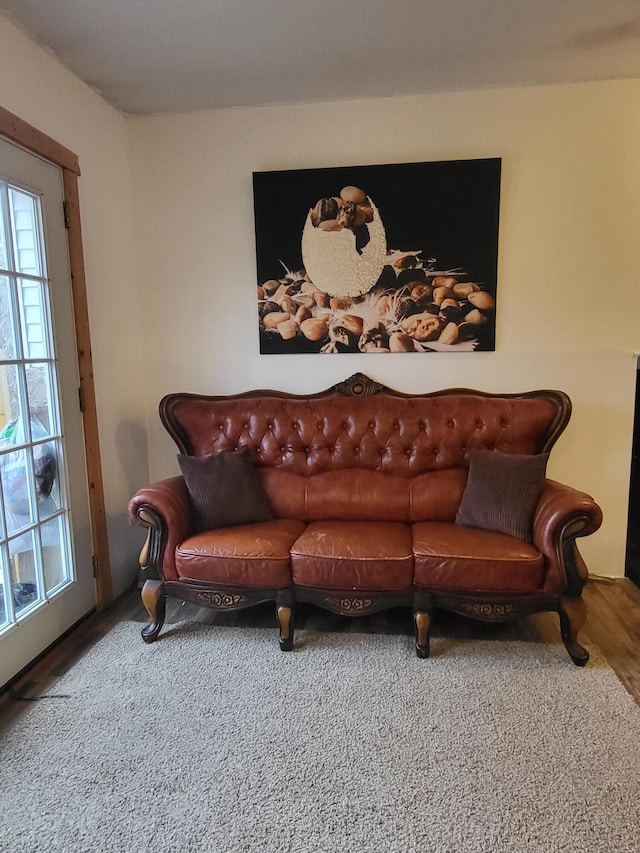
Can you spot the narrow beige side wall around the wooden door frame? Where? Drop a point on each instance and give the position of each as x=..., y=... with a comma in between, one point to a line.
x=36, y=87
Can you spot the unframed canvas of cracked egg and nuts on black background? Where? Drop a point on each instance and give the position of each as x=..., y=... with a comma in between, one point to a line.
x=377, y=259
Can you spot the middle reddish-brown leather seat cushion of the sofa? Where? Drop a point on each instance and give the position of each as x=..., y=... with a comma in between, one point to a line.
x=353, y=555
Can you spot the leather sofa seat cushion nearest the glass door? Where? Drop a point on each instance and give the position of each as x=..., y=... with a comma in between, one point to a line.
x=255, y=555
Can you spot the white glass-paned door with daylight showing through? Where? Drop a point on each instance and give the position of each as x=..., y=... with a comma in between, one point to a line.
x=46, y=581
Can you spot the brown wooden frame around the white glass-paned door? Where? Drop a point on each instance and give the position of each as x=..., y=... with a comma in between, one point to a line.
x=16, y=130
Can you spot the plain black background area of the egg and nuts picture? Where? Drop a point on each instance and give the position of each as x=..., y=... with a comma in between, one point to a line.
x=447, y=209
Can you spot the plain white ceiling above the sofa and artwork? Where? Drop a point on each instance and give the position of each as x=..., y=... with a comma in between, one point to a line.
x=148, y=56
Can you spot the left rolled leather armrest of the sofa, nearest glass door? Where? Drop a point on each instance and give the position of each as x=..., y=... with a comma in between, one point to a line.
x=164, y=508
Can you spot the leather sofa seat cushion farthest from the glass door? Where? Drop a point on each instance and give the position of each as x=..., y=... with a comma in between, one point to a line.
x=449, y=556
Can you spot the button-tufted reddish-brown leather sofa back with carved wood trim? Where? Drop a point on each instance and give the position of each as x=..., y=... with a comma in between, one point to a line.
x=360, y=450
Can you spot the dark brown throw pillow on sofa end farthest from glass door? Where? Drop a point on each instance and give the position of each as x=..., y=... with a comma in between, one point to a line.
x=502, y=492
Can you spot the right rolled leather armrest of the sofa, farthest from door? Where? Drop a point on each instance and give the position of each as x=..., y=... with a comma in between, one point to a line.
x=562, y=515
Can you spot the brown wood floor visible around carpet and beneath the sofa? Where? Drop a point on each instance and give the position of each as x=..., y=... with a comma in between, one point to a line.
x=613, y=624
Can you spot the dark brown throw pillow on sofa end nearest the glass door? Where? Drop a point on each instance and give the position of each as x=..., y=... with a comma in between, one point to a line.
x=224, y=489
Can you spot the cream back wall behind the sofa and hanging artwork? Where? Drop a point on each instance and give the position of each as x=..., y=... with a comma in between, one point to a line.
x=568, y=259
